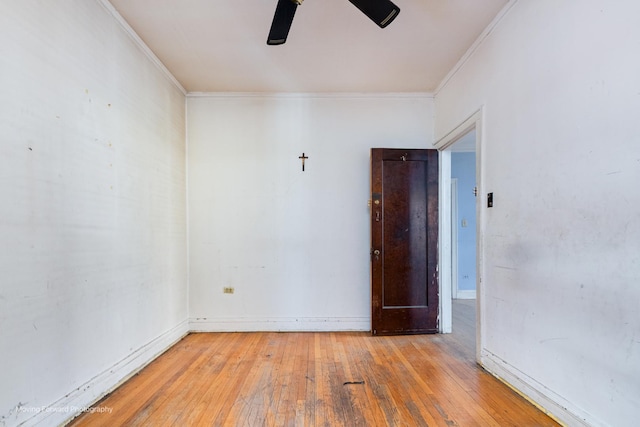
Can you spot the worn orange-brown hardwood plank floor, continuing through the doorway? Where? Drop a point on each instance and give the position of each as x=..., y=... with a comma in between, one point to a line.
x=319, y=379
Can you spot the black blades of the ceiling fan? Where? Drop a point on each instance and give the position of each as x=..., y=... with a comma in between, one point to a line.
x=382, y=12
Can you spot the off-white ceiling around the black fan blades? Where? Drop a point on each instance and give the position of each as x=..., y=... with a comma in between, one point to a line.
x=220, y=46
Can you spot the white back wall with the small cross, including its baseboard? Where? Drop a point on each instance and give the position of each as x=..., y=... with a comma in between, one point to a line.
x=295, y=245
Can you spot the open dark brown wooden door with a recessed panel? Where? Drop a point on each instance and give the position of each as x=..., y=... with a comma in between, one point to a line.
x=404, y=241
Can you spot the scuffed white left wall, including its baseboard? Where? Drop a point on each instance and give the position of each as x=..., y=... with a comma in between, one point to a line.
x=93, y=208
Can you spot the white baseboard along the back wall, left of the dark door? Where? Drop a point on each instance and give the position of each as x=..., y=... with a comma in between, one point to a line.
x=280, y=324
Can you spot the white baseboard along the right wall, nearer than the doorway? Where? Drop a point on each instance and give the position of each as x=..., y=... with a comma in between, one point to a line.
x=554, y=405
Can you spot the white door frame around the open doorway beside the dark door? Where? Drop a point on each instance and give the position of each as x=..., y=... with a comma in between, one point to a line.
x=474, y=121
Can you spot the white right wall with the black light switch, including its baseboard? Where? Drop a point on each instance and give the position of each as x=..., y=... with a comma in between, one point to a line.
x=560, y=86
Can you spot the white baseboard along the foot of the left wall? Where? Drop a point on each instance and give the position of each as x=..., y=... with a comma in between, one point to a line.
x=82, y=398
